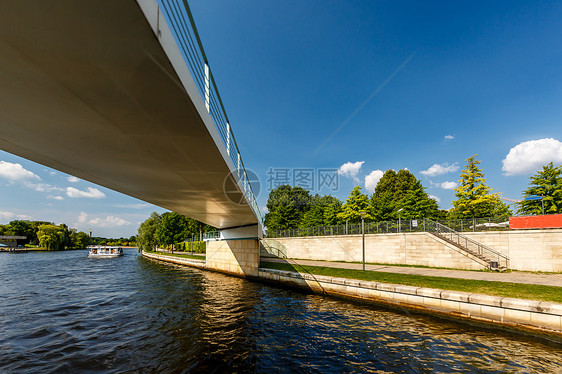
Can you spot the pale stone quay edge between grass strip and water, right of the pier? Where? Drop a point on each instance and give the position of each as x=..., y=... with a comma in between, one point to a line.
x=519, y=313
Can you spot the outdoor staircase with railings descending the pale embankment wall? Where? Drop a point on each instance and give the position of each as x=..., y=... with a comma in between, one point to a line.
x=495, y=260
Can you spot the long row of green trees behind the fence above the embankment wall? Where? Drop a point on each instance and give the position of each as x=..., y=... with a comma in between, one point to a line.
x=401, y=194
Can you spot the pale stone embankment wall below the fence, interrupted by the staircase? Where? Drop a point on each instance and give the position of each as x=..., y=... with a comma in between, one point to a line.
x=536, y=250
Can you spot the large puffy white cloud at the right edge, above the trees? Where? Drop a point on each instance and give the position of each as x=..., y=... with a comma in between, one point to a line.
x=530, y=156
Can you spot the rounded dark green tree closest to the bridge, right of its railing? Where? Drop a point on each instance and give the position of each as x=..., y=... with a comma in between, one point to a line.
x=287, y=206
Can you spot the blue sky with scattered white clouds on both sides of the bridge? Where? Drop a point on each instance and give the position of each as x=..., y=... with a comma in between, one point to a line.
x=342, y=91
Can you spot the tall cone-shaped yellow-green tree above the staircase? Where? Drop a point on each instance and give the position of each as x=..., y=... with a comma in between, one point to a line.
x=474, y=197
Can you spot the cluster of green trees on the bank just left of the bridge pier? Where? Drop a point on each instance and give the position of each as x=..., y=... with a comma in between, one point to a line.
x=169, y=228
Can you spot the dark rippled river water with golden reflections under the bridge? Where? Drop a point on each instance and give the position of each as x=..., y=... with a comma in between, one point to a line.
x=62, y=312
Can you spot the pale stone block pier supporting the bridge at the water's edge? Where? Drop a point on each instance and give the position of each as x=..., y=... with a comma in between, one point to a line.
x=239, y=257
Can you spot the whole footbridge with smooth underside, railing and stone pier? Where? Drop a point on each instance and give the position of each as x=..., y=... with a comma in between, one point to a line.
x=121, y=94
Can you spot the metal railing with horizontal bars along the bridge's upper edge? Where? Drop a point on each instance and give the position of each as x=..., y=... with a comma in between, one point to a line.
x=180, y=20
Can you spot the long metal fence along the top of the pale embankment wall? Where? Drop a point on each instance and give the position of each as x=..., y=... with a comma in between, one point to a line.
x=416, y=225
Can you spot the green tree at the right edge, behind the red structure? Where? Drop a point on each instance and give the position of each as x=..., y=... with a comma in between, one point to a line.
x=547, y=183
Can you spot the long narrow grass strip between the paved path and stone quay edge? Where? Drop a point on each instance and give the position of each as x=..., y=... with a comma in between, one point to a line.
x=504, y=289
